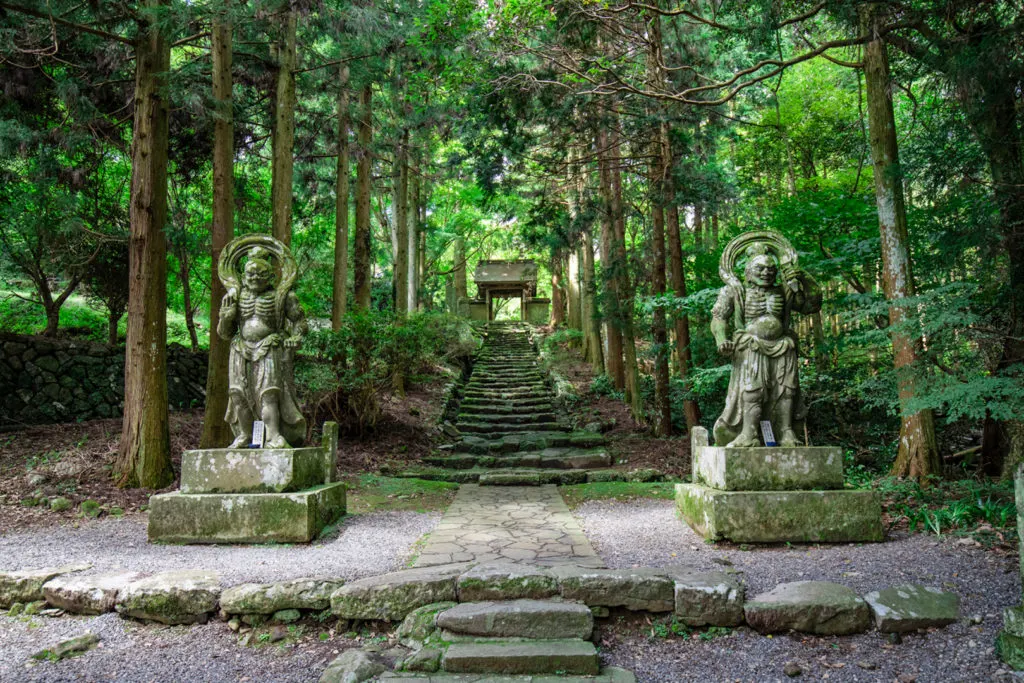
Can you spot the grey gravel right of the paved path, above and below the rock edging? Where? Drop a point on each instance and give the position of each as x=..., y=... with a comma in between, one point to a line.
x=648, y=534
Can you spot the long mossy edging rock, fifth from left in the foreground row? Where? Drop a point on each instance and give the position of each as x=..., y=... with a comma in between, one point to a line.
x=394, y=596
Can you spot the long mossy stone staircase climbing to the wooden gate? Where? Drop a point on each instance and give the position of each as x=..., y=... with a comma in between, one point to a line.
x=511, y=431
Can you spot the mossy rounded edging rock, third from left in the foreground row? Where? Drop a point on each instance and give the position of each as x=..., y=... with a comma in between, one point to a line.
x=172, y=597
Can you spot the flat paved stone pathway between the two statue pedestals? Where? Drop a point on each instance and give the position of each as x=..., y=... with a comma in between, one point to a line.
x=508, y=524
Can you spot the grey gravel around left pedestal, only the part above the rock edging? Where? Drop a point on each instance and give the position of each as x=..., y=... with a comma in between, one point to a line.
x=365, y=545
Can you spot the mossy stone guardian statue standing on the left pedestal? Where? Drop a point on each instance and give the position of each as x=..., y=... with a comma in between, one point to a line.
x=266, y=325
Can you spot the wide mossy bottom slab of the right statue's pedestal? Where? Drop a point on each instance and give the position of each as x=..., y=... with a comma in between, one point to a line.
x=765, y=517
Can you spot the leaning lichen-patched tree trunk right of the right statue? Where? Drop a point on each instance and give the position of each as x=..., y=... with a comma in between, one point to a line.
x=918, y=456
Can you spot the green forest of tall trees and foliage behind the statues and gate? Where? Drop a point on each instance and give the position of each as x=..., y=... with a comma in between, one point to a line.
x=621, y=145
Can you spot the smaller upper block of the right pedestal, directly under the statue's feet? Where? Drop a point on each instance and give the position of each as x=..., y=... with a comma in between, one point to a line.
x=770, y=468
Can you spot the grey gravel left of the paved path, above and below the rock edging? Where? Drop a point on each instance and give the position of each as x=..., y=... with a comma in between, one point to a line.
x=131, y=653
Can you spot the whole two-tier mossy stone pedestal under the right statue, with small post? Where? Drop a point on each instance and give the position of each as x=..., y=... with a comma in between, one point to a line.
x=774, y=495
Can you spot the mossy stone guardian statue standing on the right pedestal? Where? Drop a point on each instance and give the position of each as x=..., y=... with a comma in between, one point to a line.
x=764, y=383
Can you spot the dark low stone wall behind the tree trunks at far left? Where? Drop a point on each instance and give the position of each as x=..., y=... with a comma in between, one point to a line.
x=46, y=381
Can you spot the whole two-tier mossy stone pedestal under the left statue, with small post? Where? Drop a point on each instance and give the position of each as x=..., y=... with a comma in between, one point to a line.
x=252, y=496
